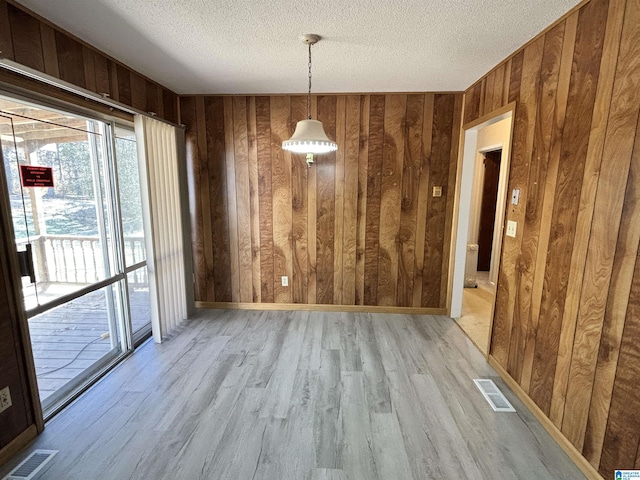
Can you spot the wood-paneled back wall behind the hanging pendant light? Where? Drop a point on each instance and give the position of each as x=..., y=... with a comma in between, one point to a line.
x=360, y=227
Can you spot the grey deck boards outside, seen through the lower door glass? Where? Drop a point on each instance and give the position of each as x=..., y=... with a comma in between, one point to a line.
x=71, y=338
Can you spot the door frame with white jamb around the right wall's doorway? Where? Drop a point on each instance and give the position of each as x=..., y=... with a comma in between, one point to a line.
x=463, y=200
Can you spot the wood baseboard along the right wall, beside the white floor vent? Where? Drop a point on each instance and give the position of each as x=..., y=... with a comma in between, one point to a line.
x=582, y=463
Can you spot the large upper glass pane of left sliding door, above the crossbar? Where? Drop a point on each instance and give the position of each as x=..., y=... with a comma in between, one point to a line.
x=64, y=224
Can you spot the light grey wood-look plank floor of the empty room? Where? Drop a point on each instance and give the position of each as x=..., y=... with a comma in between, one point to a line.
x=300, y=395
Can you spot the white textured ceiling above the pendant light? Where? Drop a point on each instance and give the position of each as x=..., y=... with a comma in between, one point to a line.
x=253, y=46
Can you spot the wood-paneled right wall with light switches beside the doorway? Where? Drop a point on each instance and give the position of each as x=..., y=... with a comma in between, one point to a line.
x=567, y=318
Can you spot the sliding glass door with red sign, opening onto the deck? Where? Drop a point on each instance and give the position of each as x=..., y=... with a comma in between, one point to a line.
x=74, y=192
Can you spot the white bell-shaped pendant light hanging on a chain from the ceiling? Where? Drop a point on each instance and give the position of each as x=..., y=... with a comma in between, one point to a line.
x=309, y=136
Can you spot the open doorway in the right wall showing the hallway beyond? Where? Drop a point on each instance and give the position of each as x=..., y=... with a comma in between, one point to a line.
x=481, y=211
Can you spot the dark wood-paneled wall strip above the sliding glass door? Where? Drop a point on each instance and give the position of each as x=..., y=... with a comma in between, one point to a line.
x=34, y=43
